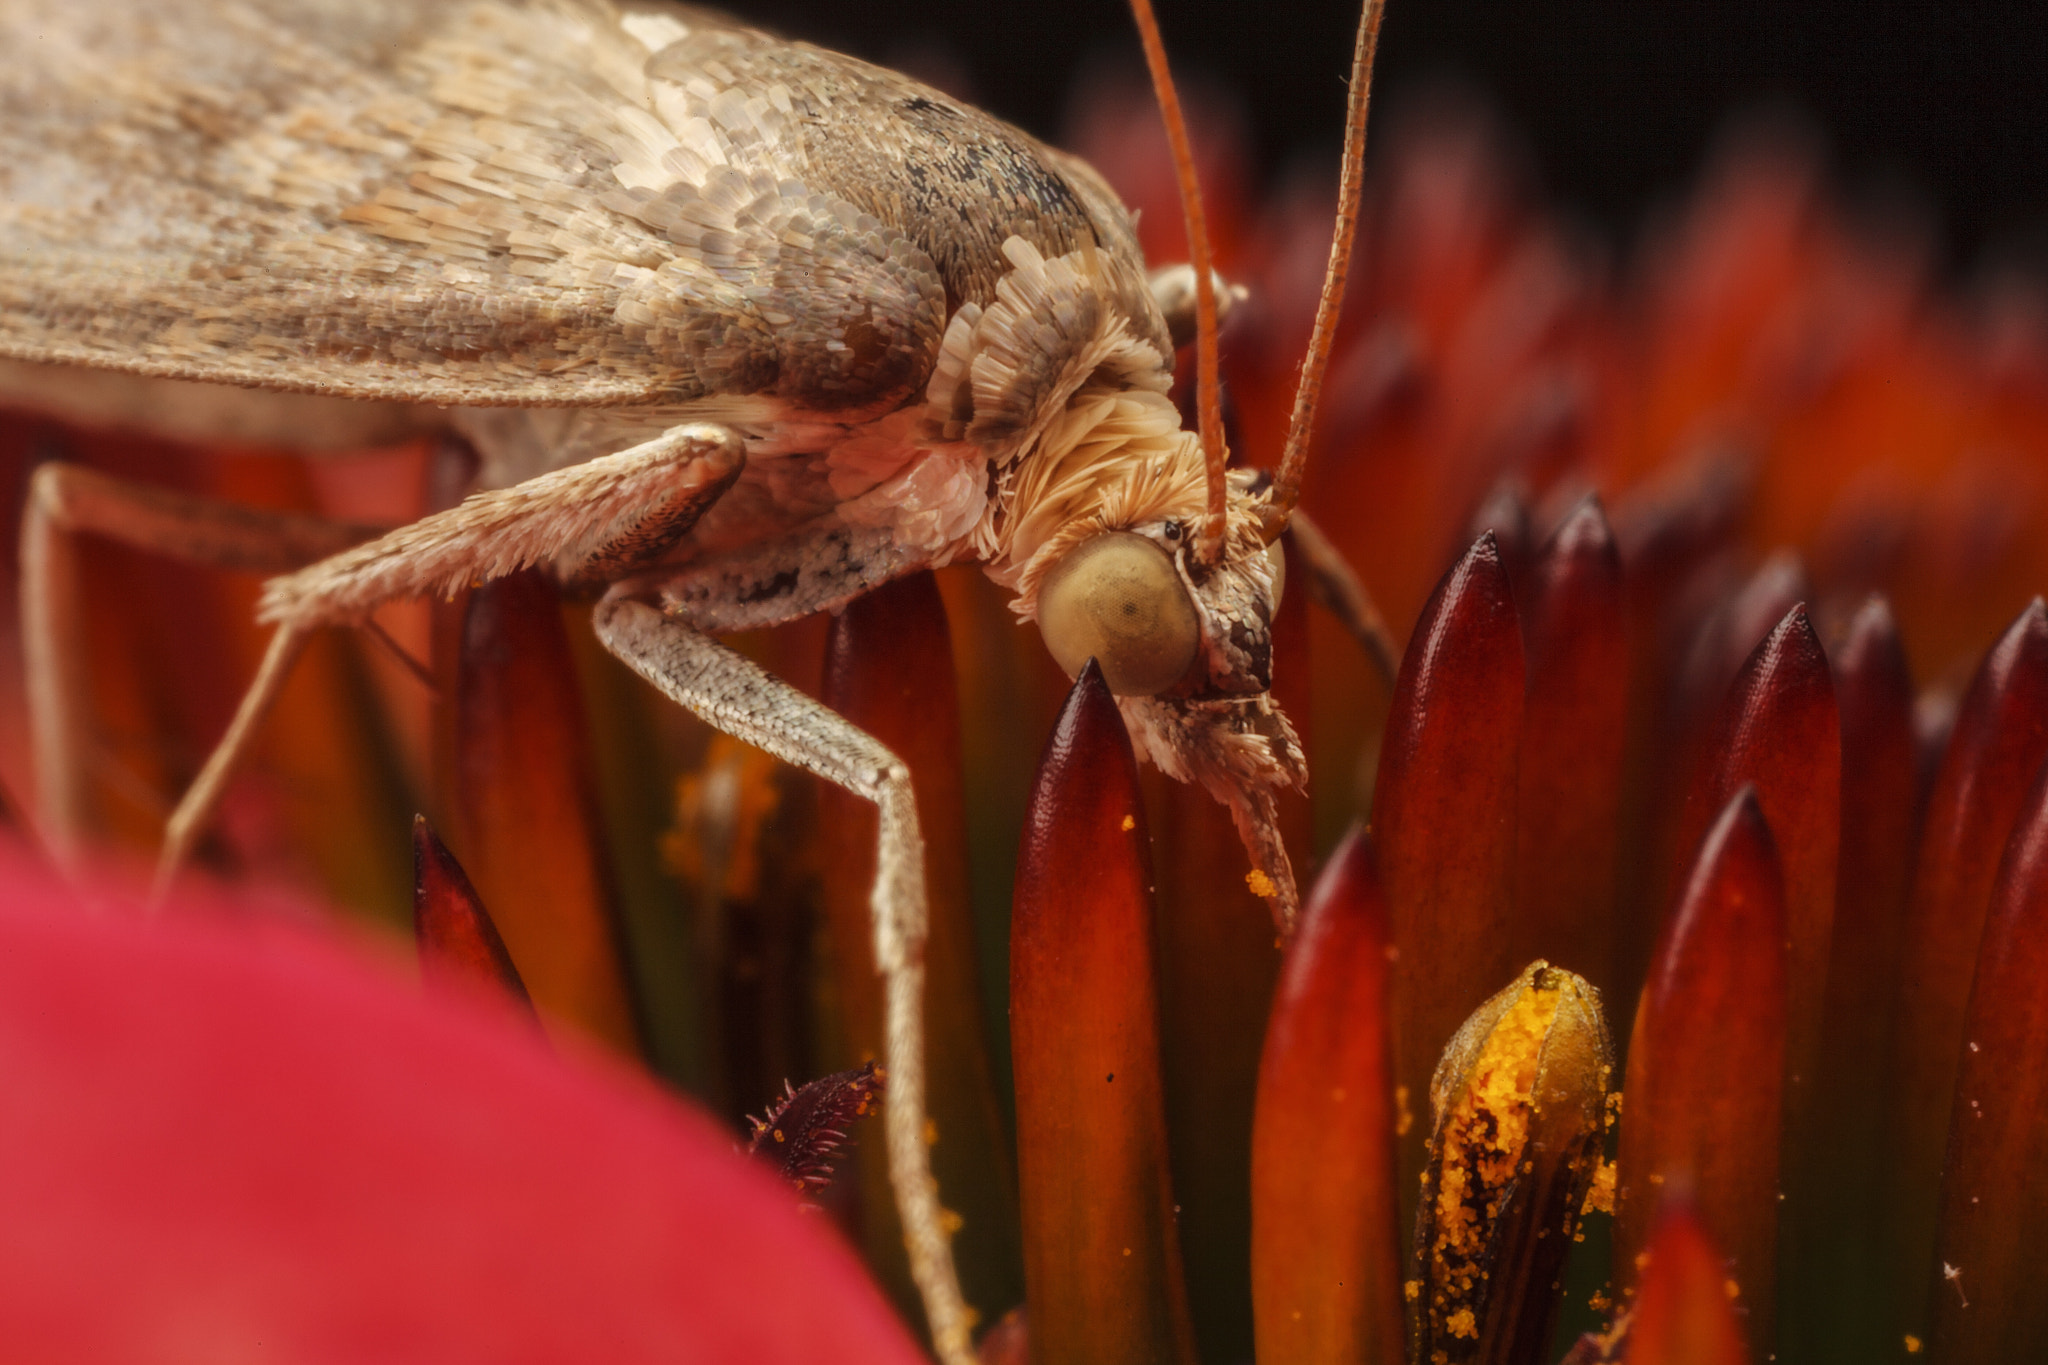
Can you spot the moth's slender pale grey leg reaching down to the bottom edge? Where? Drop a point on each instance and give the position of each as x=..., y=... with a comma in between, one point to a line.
x=746, y=703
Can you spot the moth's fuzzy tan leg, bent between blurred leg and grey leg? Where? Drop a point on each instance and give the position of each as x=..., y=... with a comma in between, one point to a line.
x=613, y=511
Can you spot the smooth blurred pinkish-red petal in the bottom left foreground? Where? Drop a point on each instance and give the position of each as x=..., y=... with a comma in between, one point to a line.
x=239, y=1141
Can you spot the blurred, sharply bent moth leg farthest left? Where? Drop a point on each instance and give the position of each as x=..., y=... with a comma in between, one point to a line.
x=67, y=500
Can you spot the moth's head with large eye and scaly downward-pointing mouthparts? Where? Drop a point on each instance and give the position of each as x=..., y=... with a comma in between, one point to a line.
x=1187, y=648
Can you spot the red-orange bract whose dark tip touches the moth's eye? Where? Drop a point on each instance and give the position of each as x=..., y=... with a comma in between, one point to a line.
x=1103, y=1272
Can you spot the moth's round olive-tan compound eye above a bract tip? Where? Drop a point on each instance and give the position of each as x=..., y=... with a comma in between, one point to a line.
x=1117, y=601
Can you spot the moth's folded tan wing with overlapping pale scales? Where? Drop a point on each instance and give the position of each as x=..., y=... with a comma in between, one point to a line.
x=421, y=202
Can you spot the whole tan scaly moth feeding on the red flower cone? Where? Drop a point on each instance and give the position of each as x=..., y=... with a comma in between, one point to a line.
x=740, y=331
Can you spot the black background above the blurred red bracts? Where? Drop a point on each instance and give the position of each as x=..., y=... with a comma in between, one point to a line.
x=1928, y=112
